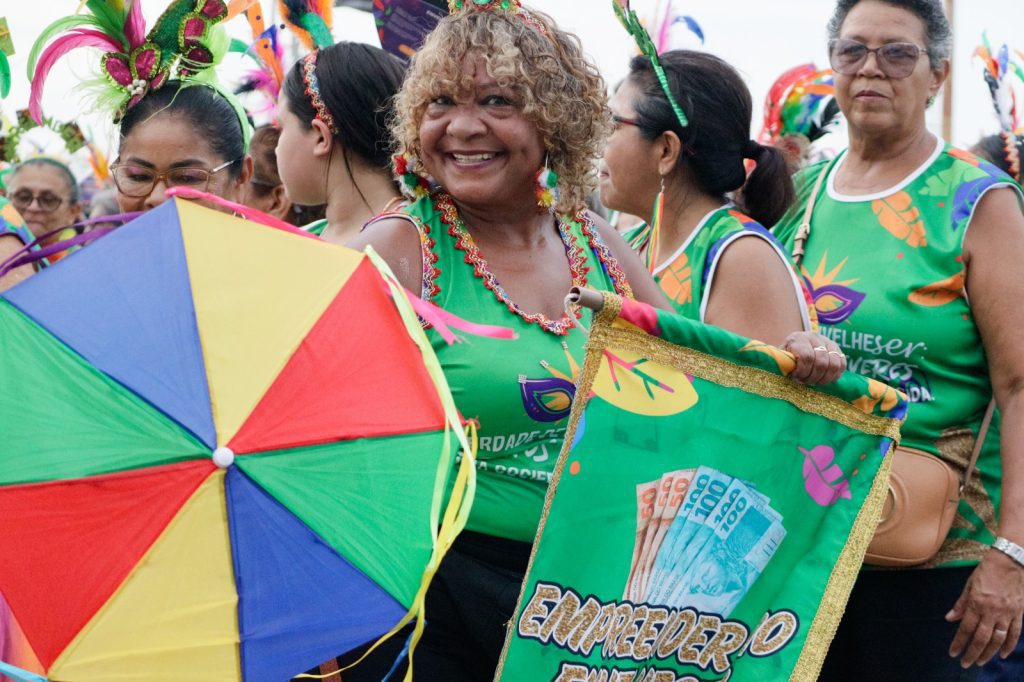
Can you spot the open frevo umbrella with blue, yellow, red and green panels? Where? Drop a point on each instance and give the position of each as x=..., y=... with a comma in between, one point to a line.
x=225, y=453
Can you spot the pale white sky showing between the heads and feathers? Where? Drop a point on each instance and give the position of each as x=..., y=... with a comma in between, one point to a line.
x=761, y=39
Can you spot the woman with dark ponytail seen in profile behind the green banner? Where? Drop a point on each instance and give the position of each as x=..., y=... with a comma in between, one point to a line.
x=694, y=244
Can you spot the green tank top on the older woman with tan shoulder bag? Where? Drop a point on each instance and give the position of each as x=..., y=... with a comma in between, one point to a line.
x=887, y=279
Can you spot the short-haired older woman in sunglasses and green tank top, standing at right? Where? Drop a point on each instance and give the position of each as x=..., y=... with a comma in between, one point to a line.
x=913, y=255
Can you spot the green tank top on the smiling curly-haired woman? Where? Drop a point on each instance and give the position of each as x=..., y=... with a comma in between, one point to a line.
x=520, y=392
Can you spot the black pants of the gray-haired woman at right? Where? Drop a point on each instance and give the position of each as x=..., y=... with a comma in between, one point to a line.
x=895, y=629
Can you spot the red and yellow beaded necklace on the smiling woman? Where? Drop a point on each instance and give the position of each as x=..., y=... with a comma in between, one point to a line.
x=464, y=242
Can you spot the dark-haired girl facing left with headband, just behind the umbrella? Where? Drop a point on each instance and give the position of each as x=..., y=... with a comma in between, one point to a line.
x=335, y=148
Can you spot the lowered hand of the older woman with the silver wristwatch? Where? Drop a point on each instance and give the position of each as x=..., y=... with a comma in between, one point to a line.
x=990, y=611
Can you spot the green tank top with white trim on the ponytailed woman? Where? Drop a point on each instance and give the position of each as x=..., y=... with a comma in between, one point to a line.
x=687, y=276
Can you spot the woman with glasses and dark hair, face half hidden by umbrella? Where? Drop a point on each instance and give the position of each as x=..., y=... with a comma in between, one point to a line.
x=184, y=135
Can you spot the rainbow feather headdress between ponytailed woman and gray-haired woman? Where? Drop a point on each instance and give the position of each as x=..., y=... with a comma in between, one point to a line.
x=801, y=102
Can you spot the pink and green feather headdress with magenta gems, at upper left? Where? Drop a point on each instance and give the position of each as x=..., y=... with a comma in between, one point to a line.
x=185, y=42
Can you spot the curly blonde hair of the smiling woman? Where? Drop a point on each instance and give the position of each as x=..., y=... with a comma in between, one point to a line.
x=559, y=90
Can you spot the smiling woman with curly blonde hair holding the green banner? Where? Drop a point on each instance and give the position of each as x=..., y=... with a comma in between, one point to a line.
x=496, y=105
